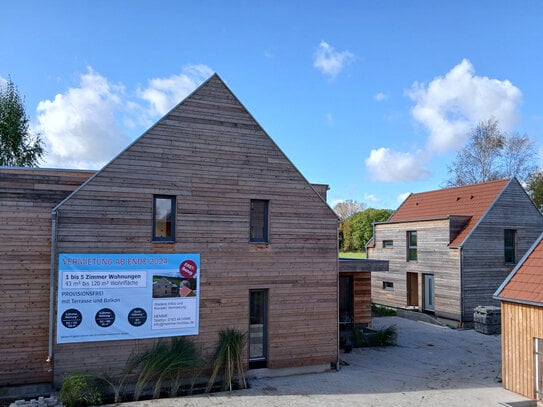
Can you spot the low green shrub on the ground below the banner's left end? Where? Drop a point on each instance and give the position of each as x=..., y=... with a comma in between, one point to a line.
x=80, y=390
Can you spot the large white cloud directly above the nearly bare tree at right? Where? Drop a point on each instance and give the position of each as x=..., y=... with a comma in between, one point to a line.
x=449, y=106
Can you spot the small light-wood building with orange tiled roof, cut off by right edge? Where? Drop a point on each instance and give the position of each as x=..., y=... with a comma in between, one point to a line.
x=521, y=296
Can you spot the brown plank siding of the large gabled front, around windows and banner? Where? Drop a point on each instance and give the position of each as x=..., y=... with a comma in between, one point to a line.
x=214, y=158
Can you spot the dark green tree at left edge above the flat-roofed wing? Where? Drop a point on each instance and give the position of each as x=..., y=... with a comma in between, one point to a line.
x=18, y=147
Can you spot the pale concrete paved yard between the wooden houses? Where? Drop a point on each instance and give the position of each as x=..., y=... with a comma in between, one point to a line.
x=431, y=366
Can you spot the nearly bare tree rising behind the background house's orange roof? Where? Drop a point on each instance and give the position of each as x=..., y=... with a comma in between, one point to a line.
x=492, y=154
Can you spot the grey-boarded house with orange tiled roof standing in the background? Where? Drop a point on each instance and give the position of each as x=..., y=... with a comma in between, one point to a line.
x=450, y=249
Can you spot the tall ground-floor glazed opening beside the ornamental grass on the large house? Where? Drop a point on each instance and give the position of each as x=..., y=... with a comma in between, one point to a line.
x=258, y=328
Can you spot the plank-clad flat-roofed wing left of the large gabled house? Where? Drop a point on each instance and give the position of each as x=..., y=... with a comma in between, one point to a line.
x=26, y=199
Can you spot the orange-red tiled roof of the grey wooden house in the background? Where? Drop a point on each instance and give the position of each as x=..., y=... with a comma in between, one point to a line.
x=469, y=200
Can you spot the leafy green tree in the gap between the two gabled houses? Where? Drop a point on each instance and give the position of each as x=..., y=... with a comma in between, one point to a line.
x=358, y=229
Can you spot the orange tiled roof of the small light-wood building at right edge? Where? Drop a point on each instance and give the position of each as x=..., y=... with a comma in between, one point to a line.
x=525, y=283
